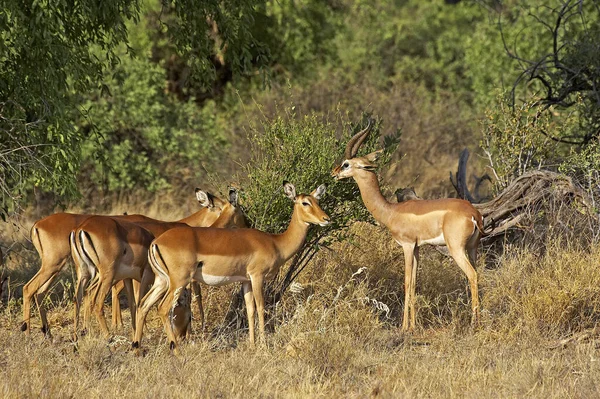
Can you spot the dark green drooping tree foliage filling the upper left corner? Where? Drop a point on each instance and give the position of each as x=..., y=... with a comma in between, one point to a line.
x=45, y=53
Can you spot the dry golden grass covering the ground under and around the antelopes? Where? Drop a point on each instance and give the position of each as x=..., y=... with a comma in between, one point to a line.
x=337, y=334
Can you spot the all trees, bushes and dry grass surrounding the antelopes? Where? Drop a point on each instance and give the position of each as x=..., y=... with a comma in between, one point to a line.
x=127, y=105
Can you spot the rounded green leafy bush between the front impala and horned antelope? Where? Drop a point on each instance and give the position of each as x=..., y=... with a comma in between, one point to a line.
x=303, y=151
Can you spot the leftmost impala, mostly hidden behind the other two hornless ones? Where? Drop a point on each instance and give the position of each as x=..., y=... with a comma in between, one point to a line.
x=50, y=237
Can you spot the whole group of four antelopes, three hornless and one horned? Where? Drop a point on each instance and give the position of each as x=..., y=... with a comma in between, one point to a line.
x=155, y=261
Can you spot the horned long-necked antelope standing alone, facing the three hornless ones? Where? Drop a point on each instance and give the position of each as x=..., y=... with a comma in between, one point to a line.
x=454, y=223
